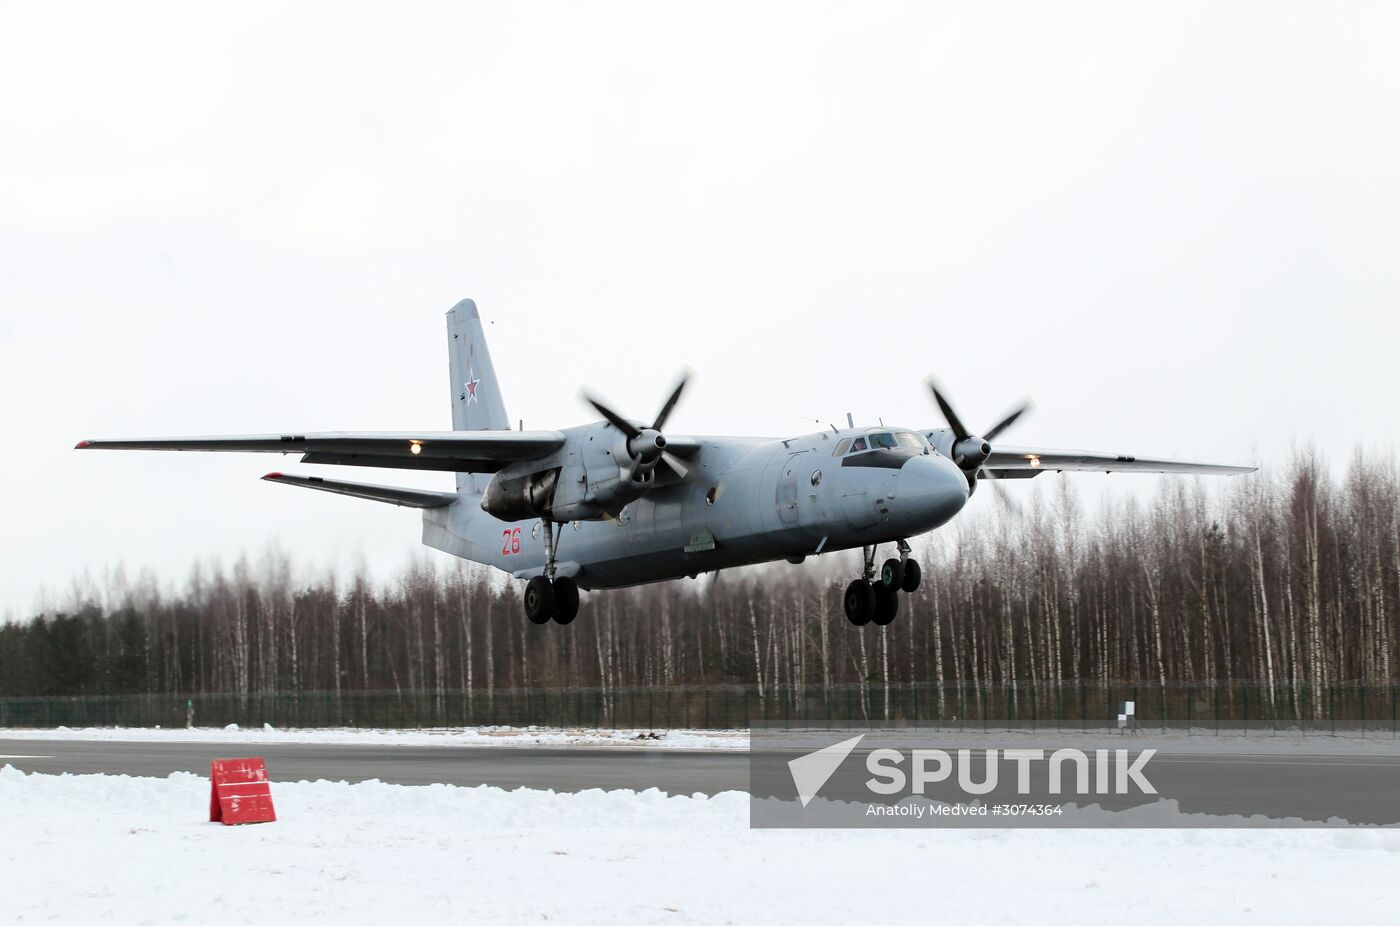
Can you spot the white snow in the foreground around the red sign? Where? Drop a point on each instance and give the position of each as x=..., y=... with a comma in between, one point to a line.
x=115, y=850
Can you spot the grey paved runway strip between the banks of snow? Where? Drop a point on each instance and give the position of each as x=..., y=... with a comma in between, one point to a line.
x=1356, y=788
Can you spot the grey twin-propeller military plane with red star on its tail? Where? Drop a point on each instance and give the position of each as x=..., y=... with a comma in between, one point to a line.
x=624, y=504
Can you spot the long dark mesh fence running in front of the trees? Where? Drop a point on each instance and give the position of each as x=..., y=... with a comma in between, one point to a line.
x=1350, y=708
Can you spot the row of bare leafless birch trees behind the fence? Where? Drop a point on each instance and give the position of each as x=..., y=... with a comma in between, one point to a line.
x=1286, y=579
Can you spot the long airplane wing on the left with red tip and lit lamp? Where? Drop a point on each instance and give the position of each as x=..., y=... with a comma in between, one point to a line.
x=450, y=452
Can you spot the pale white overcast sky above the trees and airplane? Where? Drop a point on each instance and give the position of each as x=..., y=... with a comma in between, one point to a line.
x=1175, y=228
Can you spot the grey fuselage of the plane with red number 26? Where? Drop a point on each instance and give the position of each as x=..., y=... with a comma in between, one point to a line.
x=776, y=499
